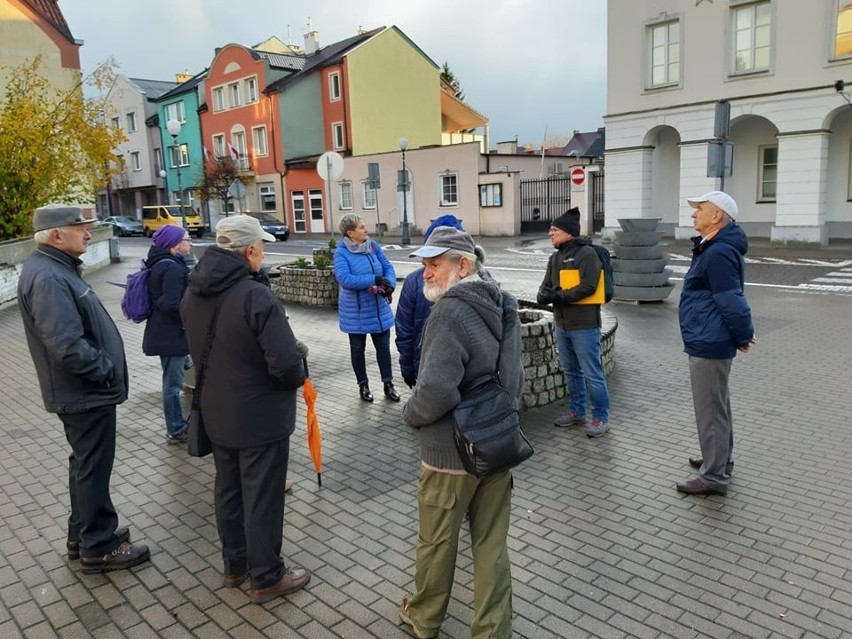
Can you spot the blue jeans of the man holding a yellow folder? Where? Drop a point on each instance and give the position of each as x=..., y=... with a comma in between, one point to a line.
x=580, y=357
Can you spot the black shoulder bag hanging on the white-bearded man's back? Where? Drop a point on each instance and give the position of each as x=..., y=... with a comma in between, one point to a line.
x=487, y=427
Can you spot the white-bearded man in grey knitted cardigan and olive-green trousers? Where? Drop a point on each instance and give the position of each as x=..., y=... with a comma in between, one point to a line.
x=460, y=344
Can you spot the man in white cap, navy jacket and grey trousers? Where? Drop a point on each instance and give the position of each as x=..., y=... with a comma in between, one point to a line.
x=715, y=322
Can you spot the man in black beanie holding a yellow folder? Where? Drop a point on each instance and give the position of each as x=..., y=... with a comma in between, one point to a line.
x=578, y=325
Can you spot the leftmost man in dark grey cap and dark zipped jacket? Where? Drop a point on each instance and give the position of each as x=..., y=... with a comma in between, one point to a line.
x=79, y=360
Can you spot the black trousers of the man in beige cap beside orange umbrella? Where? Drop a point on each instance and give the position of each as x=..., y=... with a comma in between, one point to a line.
x=249, y=497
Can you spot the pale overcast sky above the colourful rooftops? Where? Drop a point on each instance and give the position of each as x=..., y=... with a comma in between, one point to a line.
x=530, y=66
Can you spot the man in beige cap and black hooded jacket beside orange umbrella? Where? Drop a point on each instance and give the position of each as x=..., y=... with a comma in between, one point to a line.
x=248, y=402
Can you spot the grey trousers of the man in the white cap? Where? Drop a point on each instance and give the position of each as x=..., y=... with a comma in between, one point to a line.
x=711, y=398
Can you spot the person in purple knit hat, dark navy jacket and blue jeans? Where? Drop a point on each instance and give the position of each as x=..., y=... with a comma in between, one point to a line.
x=164, y=334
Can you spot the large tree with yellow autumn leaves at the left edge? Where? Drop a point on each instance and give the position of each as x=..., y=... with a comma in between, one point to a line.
x=55, y=144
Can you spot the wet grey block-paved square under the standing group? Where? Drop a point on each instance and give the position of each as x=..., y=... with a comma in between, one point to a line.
x=601, y=543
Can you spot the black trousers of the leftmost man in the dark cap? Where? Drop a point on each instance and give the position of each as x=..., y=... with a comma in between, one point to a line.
x=93, y=518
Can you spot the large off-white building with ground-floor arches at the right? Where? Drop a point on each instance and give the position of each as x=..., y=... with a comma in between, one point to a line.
x=777, y=63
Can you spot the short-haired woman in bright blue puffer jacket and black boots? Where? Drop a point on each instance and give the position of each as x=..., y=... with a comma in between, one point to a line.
x=366, y=280
